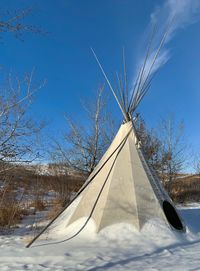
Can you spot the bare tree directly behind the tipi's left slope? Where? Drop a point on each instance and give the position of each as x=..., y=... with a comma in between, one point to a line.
x=86, y=145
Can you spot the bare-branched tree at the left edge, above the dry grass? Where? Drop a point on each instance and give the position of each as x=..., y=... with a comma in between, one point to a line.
x=17, y=129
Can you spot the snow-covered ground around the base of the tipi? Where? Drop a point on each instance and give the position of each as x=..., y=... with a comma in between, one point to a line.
x=118, y=247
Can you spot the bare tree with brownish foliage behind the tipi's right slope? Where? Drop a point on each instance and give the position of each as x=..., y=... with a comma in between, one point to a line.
x=165, y=150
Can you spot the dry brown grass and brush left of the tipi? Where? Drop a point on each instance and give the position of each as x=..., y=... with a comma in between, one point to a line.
x=23, y=190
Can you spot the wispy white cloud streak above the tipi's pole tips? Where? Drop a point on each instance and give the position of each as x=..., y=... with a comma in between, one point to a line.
x=182, y=13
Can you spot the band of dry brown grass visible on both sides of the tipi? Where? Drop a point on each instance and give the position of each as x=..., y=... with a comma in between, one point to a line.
x=21, y=186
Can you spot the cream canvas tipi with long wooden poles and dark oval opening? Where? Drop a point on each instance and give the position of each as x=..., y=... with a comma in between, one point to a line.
x=122, y=188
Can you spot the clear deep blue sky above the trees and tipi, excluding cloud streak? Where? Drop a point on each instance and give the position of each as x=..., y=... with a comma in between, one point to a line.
x=64, y=58
